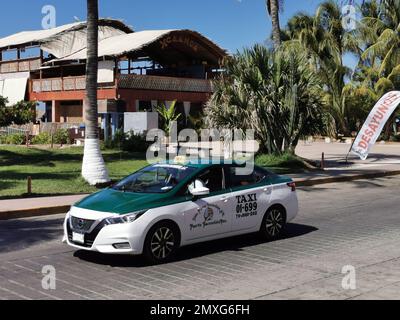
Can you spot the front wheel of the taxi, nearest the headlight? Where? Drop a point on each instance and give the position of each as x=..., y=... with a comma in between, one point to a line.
x=161, y=243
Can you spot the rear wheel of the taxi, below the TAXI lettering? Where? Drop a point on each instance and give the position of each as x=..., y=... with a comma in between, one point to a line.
x=273, y=223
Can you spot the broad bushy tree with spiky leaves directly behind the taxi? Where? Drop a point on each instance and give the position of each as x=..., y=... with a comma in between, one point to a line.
x=276, y=94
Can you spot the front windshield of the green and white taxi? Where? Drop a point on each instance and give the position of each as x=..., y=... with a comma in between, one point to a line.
x=155, y=179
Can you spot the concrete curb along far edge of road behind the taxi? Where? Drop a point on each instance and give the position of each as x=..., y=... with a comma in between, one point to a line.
x=37, y=212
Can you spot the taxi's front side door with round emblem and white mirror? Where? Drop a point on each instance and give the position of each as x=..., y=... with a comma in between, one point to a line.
x=208, y=216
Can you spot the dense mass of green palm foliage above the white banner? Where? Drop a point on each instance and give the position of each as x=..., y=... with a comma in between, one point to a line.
x=350, y=94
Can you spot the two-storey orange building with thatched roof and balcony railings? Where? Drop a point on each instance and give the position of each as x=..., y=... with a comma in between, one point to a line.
x=137, y=71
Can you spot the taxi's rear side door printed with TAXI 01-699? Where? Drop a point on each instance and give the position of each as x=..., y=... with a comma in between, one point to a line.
x=251, y=198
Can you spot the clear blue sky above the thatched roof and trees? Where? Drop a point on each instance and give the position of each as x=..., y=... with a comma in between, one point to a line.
x=233, y=24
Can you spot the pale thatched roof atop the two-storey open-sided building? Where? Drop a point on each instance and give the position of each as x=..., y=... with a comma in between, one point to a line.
x=117, y=40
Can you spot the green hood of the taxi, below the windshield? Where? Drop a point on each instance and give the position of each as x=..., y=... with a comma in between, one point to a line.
x=119, y=202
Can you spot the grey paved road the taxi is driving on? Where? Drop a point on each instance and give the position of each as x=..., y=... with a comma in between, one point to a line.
x=356, y=224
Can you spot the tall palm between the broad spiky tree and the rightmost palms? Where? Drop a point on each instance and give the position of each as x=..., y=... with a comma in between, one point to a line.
x=326, y=41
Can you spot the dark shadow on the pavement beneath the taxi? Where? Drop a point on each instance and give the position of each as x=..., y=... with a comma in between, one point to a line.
x=236, y=244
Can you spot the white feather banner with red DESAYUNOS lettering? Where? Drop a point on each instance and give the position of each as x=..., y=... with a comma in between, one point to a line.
x=376, y=120
